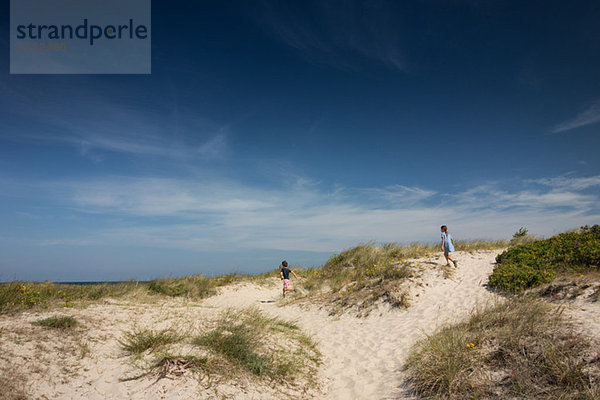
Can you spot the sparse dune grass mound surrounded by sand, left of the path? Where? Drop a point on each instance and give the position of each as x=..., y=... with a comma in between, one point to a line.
x=238, y=342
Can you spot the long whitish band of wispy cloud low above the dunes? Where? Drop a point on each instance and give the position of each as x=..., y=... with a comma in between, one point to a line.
x=218, y=215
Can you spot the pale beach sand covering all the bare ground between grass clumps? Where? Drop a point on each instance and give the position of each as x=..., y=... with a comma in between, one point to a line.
x=362, y=357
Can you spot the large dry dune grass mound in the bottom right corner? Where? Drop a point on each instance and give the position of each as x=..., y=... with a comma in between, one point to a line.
x=518, y=349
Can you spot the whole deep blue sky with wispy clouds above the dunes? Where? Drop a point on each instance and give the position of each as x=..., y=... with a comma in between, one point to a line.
x=271, y=130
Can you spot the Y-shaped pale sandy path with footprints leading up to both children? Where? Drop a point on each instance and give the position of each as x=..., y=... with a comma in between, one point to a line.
x=362, y=357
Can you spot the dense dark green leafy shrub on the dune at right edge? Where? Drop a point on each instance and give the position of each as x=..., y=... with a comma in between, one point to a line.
x=529, y=265
